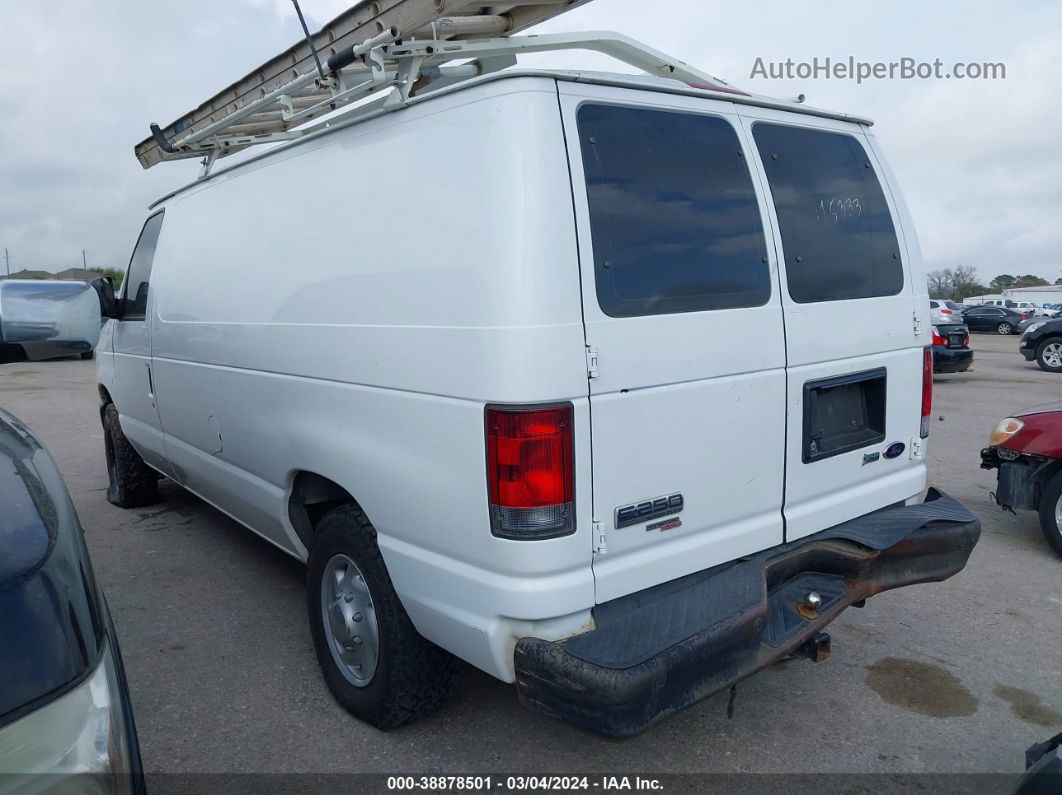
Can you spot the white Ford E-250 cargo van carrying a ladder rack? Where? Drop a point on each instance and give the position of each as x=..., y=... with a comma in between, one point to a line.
x=614, y=387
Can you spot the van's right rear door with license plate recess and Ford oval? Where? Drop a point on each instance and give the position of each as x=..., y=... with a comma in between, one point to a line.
x=854, y=318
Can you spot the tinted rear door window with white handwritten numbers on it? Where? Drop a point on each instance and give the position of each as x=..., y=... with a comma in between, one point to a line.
x=837, y=234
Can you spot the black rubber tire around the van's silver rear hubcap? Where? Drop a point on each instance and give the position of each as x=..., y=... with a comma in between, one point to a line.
x=414, y=677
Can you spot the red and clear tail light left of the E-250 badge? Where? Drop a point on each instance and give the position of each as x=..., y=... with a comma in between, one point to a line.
x=530, y=475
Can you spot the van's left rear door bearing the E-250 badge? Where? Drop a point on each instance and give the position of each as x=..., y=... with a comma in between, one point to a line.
x=684, y=333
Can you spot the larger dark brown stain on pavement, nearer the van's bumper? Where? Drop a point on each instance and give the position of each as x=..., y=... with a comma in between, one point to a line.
x=921, y=687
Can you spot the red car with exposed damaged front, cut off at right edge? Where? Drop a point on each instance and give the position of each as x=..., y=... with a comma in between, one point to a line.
x=1026, y=450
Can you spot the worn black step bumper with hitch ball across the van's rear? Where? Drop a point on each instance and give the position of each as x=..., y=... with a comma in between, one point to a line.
x=659, y=651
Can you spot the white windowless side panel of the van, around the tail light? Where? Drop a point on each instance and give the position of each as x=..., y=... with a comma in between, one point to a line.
x=356, y=327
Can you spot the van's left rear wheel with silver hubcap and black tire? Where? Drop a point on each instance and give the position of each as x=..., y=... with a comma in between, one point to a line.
x=374, y=662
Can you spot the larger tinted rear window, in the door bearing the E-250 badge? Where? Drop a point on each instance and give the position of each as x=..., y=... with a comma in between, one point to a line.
x=674, y=217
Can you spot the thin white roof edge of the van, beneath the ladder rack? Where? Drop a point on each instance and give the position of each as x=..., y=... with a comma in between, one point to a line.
x=643, y=82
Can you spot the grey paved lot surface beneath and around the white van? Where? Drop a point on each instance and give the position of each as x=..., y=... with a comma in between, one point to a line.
x=957, y=677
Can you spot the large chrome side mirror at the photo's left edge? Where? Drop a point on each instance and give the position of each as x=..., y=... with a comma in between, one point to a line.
x=45, y=320
